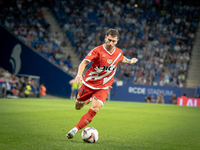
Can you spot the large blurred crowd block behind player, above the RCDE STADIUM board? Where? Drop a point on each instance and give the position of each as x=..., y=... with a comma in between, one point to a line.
x=161, y=34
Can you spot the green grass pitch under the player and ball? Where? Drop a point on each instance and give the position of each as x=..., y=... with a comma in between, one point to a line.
x=42, y=124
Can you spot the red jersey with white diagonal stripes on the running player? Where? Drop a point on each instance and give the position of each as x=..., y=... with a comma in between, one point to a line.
x=104, y=65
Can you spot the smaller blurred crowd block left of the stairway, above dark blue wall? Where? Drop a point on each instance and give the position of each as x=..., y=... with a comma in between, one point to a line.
x=26, y=21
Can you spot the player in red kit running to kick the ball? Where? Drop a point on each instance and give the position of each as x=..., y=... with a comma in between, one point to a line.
x=99, y=78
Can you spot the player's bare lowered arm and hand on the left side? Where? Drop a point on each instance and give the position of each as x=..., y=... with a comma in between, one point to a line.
x=81, y=68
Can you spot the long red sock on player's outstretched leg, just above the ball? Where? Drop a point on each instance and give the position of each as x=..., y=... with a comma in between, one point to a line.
x=86, y=119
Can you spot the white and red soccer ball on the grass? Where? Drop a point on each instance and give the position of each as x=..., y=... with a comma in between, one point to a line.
x=90, y=135
